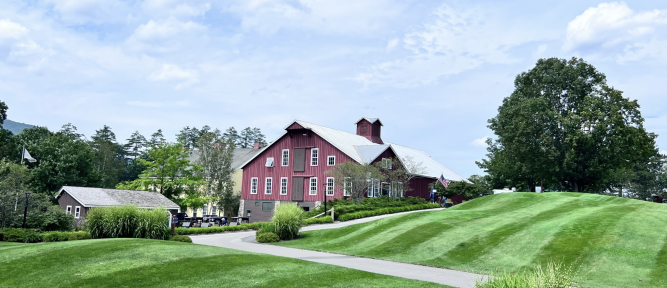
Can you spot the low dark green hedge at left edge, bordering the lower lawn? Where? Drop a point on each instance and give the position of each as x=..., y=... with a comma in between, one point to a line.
x=34, y=236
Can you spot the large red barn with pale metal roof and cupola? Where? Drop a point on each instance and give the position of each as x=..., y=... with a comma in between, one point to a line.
x=292, y=168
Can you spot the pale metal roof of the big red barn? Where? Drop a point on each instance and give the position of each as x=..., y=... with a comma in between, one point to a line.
x=362, y=150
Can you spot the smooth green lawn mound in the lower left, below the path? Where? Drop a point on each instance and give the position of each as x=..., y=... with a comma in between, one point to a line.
x=155, y=263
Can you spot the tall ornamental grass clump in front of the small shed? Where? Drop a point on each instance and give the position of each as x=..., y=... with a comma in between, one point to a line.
x=127, y=222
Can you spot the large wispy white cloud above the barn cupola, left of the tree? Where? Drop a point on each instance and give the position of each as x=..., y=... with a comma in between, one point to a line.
x=450, y=42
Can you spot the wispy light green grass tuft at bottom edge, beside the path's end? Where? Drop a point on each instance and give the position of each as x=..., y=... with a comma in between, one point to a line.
x=555, y=275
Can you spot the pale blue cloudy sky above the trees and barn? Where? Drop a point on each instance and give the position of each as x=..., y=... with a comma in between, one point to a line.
x=434, y=72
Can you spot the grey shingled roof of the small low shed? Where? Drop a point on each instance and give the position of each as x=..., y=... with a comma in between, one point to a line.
x=96, y=197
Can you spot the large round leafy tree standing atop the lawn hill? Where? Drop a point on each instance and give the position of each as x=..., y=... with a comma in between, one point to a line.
x=565, y=126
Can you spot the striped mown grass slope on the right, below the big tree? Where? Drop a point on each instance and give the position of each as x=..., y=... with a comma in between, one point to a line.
x=609, y=241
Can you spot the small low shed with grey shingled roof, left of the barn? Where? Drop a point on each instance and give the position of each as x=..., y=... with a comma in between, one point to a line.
x=78, y=200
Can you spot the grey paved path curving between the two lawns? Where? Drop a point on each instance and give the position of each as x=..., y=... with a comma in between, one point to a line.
x=246, y=241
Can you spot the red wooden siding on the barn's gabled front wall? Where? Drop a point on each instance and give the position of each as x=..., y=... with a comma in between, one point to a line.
x=257, y=168
